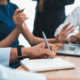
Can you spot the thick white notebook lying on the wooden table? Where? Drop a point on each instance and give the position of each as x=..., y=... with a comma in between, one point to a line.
x=38, y=65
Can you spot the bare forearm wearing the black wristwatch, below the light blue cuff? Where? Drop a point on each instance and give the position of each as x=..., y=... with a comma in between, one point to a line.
x=14, y=55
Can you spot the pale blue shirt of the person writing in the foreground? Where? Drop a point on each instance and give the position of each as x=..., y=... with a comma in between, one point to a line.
x=11, y=74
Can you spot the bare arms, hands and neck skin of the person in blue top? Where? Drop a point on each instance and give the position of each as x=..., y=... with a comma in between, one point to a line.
x=19, y=19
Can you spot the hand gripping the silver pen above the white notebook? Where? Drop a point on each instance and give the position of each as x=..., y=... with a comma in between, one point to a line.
x=41, y=50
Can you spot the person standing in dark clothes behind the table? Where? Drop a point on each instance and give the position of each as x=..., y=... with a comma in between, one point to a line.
x=49, y=15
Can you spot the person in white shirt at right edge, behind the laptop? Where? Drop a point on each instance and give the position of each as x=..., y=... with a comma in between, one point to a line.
x=74, y=18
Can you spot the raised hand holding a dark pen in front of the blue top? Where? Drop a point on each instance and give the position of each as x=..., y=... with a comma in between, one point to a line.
x=19, y=19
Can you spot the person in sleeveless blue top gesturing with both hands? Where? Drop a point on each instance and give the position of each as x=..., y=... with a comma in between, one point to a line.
x=8, y=25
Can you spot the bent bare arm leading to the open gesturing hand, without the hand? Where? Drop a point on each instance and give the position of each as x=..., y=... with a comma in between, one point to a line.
x=32, y=39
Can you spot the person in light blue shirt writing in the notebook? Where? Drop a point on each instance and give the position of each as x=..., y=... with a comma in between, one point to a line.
x=9, y=55
